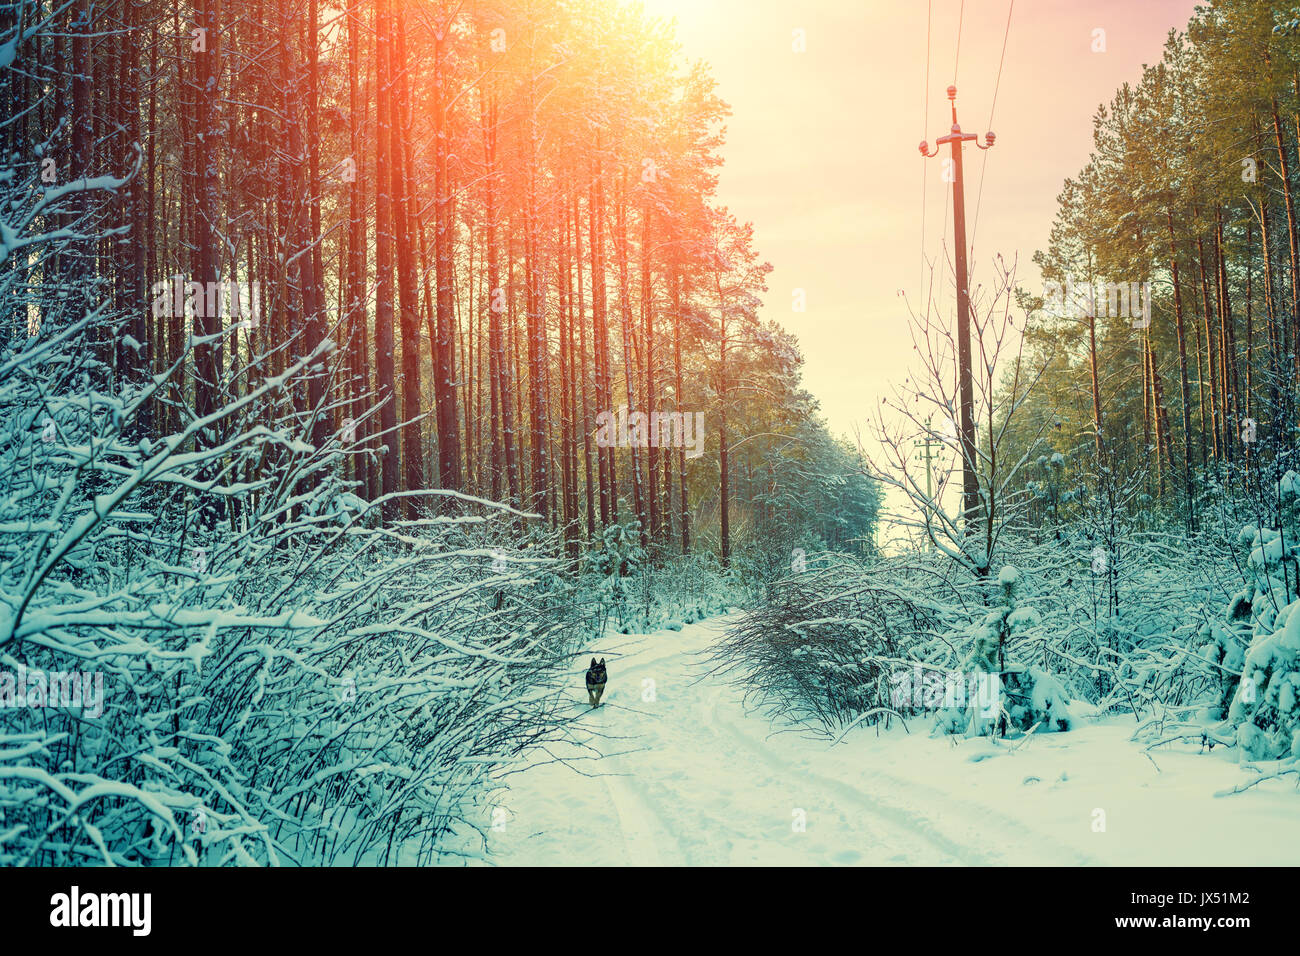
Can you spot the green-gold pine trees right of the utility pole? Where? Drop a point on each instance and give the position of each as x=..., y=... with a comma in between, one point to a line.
x=1180, y=366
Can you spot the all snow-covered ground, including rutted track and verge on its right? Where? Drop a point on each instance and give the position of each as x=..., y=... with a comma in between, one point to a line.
x=691, y=778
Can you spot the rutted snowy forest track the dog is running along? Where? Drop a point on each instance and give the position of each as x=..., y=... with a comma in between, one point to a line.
x=692, y=780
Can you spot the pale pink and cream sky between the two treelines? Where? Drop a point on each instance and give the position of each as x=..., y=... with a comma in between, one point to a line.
x=822, y=153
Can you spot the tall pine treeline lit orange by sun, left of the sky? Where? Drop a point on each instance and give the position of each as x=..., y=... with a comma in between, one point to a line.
x=501, y=213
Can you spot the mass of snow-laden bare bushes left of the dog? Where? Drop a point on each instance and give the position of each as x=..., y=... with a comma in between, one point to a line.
x=271, y=674
